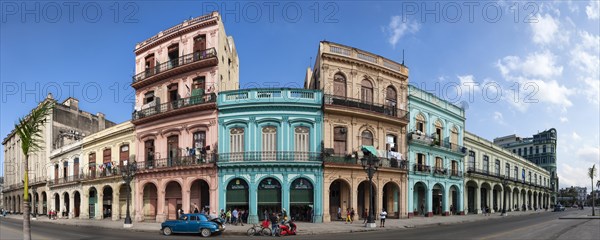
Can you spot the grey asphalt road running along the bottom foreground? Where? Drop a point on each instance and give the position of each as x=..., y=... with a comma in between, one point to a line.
x=536, y=226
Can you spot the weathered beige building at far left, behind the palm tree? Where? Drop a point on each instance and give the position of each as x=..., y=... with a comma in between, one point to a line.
x=66, y=125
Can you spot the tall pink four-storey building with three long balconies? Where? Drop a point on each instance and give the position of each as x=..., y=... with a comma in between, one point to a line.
x=179, y=71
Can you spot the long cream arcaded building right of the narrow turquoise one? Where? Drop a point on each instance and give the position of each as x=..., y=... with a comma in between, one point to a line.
x=494, y=173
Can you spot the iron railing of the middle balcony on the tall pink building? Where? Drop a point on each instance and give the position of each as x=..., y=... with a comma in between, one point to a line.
x=174, y=105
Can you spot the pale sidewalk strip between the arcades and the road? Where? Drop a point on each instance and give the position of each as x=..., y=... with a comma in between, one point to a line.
x=303, y=228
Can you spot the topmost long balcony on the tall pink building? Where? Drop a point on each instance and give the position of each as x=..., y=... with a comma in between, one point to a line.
x=185, y=63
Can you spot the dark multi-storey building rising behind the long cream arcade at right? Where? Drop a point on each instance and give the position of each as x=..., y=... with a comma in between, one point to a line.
x=539, y=149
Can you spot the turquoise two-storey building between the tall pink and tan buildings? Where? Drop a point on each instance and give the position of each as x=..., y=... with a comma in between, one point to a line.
x=270, y=152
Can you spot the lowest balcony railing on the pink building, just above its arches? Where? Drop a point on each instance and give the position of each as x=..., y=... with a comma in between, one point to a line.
x=178, y=161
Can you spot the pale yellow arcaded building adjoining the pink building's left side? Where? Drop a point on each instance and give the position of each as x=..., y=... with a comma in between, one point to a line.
x=104, y=154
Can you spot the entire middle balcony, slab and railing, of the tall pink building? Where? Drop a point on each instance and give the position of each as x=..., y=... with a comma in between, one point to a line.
x=183, y=105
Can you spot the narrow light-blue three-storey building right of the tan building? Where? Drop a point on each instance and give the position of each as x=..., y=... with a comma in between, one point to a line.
x=435, y=154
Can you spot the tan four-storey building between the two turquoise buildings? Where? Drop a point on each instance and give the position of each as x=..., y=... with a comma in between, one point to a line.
x=365, y=104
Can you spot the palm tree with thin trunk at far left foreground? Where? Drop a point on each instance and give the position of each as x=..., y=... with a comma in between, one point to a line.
x=29, y=131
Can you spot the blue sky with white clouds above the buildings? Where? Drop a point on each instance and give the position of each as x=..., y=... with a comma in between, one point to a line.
x=521, y=67
